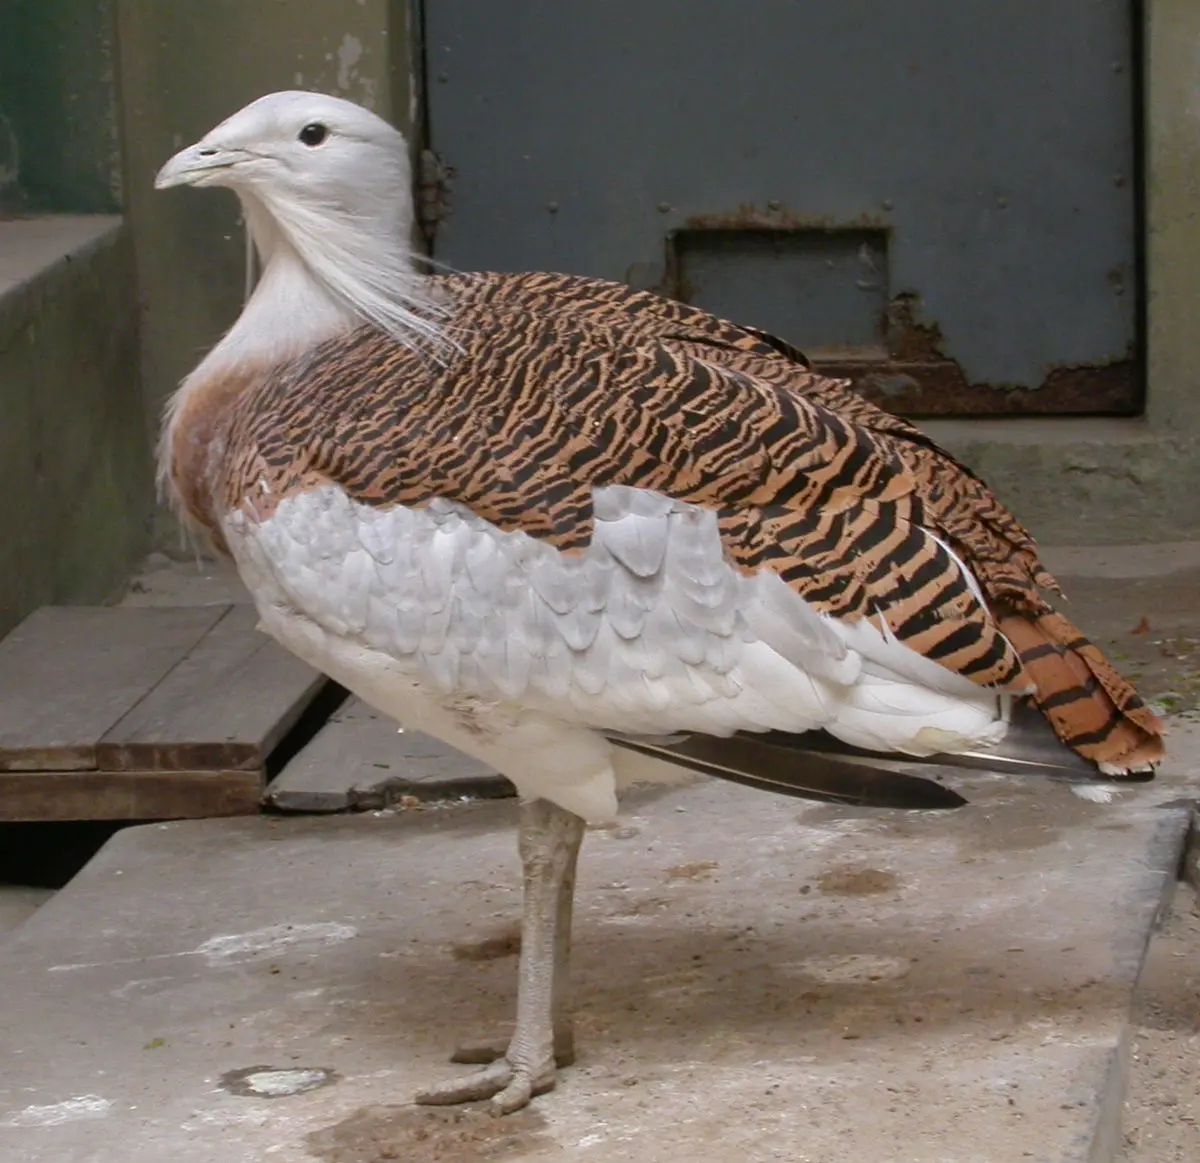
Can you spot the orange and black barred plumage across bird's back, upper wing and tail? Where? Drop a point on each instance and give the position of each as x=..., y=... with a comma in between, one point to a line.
x=563, y=385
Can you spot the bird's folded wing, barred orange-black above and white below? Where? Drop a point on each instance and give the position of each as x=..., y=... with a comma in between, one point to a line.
x=614, y=527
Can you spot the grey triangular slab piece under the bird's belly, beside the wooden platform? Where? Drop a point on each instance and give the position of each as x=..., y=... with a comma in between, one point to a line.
x=361, y=760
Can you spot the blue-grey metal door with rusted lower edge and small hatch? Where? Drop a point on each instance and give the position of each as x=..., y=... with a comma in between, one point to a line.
x=937, y=197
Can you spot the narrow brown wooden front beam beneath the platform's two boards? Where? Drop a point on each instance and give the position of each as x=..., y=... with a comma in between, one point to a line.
x=27, y=796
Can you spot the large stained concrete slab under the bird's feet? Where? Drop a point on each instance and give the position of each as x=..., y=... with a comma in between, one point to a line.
x=758, y=979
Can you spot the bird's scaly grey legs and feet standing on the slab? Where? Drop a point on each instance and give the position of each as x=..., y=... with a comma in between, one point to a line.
x=550, y=847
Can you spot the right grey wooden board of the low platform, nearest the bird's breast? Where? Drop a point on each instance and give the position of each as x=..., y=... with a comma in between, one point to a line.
x=224, y=708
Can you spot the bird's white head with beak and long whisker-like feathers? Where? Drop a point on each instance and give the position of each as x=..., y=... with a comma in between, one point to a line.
x=326, y=183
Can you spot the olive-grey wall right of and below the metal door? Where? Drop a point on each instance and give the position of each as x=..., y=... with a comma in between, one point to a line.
x=1113, y=482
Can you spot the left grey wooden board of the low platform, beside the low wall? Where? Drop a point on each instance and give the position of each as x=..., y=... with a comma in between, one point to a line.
x=69, y=674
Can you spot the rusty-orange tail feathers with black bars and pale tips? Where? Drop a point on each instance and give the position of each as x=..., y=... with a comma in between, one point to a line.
x=1090, y=706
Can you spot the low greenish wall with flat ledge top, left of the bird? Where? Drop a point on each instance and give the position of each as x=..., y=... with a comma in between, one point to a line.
x=75, y=467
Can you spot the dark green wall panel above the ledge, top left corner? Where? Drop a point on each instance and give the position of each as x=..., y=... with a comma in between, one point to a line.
x=58, y=107
